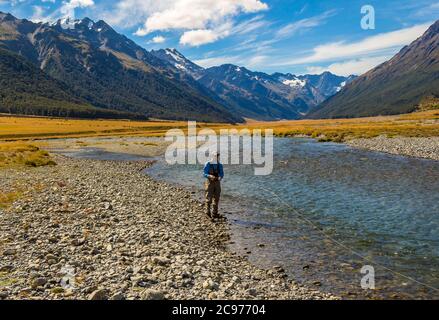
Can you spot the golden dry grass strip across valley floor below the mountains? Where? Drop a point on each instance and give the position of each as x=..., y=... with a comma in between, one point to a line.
x=419, y=124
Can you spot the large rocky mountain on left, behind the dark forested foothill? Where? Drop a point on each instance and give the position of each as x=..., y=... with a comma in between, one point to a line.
x=108, y=70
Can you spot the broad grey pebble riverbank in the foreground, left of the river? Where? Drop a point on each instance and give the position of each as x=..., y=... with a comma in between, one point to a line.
x=104, y=230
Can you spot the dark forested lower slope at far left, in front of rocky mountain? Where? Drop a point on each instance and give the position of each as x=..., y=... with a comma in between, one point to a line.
x=25, y=89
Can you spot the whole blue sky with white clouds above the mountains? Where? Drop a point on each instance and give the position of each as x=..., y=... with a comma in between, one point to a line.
x=294, y=36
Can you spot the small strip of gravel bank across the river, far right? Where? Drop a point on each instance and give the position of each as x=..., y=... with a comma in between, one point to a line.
x=427, y=148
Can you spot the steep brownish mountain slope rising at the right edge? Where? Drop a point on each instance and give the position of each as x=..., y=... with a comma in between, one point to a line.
x=394, y=87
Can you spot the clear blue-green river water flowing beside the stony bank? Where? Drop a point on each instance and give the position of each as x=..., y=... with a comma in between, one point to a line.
x=328, y=210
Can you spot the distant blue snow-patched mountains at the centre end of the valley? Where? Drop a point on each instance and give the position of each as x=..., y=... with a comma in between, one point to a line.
x=258, y=95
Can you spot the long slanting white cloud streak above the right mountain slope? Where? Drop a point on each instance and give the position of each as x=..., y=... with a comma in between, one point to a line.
x=381, y=43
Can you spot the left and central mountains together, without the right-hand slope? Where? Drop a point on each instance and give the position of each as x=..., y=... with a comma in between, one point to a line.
x=90, y=70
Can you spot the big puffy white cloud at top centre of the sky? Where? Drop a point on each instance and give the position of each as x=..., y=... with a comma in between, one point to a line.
x=202, y=21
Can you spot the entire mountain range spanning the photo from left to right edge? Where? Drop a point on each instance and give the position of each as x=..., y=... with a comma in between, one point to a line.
x=82, y=68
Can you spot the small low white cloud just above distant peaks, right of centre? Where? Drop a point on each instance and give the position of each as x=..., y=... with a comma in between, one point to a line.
x=349, y=67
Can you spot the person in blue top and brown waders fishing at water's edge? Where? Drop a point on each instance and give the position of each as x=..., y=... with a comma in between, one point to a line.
x=214, y=173
